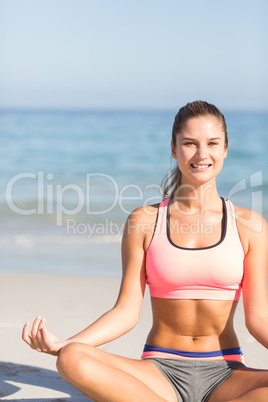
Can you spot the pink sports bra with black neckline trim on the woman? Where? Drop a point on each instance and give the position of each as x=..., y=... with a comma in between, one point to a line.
x=214, y=272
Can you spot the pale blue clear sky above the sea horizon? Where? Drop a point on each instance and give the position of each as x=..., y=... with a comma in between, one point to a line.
x=133, y=53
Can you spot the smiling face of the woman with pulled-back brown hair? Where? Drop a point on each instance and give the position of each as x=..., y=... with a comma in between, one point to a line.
x=200, y=149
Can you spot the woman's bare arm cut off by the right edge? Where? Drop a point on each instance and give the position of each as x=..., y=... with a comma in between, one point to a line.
x=254, y=233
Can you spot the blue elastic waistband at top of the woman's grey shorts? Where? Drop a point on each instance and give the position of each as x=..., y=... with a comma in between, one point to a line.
x=223, y=352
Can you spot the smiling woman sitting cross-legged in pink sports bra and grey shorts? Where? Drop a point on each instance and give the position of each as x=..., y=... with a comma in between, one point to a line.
x=196, y=251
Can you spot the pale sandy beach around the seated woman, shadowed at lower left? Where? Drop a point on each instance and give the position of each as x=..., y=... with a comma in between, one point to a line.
x=69, y=303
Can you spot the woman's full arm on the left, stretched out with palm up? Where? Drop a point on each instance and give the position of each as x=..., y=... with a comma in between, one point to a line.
x=124, y=315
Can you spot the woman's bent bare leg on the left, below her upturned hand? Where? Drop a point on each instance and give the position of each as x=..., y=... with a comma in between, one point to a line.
x=105, y=377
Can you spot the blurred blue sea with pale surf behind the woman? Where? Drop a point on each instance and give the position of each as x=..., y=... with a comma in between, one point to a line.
x=70, y=178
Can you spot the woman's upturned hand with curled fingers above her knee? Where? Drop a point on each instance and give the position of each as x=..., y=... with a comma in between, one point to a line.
x=40, y=338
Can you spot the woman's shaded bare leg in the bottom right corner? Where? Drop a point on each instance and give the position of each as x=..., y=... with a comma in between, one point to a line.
x=244, y=385
